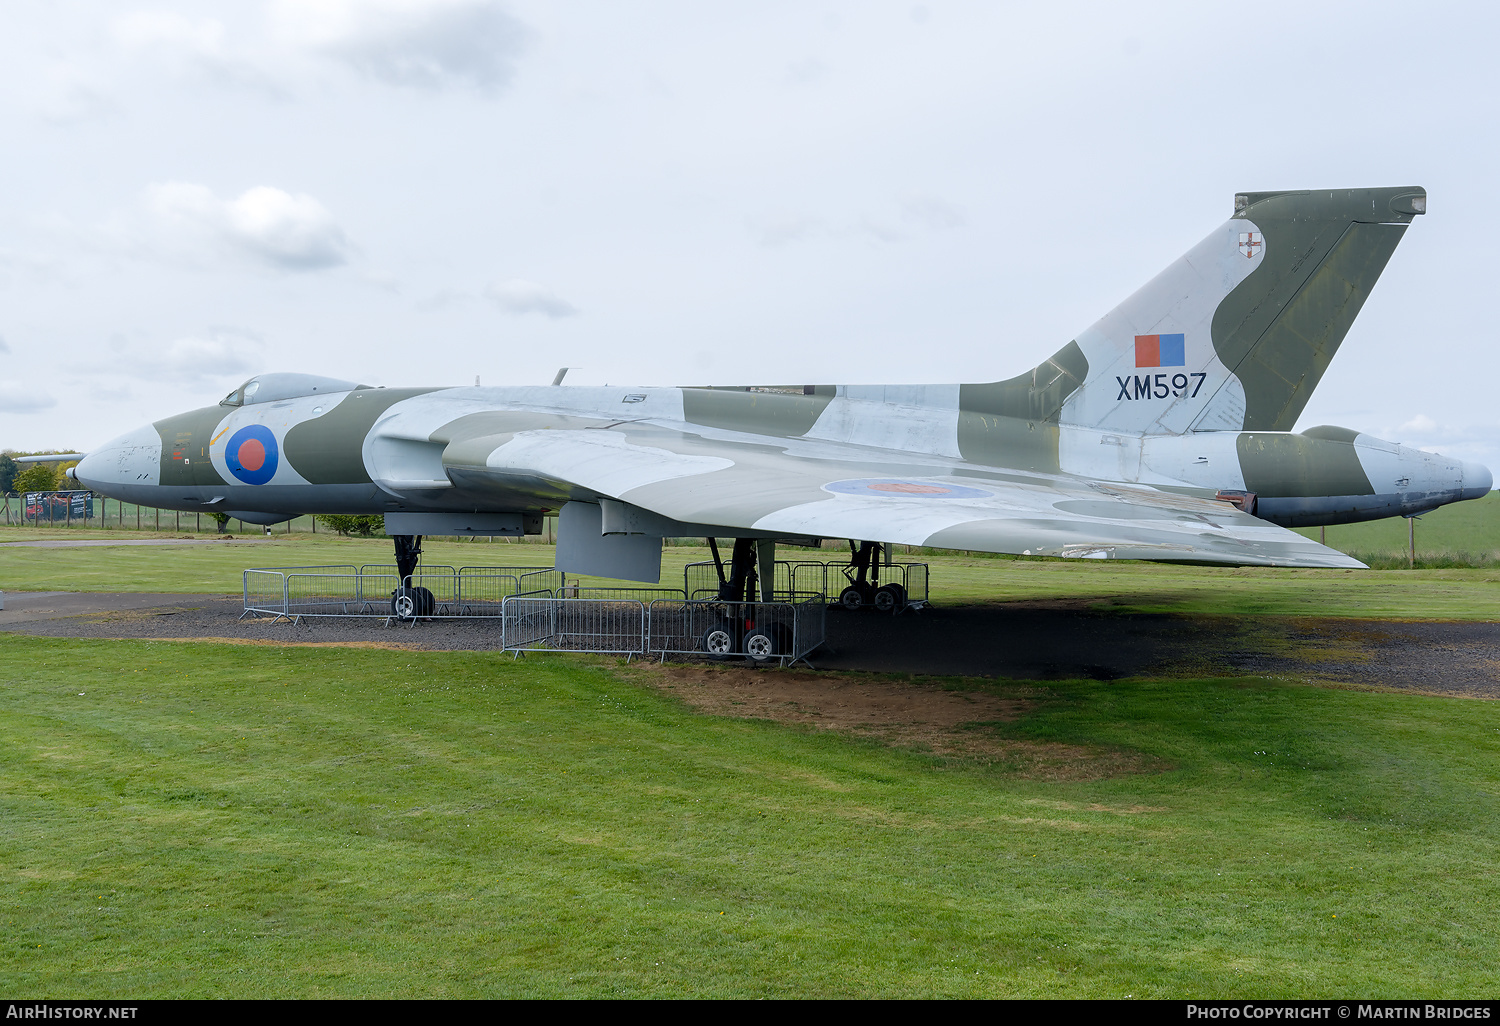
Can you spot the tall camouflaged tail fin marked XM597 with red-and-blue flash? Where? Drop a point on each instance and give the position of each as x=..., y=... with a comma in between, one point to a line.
x=1238, y=332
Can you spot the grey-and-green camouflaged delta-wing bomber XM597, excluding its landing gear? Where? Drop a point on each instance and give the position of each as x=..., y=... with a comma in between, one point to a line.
x=1160, y=433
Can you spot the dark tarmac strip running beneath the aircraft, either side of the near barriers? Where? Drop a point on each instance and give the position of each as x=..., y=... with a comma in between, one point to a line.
x=1033, y=641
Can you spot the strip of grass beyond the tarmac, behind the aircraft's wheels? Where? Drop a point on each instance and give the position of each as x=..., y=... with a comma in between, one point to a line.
x=956, y=578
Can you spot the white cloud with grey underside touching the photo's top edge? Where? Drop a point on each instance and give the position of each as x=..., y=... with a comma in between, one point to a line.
x=425, y=44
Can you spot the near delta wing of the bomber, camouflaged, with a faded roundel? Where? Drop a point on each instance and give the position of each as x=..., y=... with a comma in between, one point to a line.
x=842, y=491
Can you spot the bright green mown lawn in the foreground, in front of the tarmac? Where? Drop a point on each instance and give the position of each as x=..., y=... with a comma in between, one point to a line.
x=250, y=821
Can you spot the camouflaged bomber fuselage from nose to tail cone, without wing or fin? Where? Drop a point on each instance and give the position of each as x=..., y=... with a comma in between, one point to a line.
x=344, y=449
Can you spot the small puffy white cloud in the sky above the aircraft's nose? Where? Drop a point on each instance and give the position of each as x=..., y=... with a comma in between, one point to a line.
x=265, y=226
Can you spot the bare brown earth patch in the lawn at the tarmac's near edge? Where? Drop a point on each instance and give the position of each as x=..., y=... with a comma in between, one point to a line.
x=920, y=716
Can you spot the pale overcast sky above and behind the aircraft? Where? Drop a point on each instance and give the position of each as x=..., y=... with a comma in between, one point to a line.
x=425, y=191
